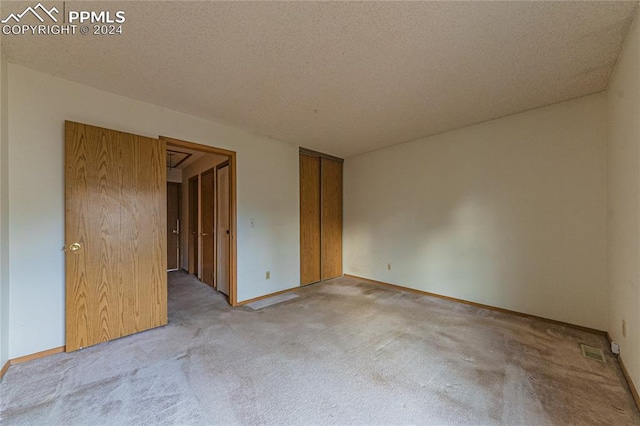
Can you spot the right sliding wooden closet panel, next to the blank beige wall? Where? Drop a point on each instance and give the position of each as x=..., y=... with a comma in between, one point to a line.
x=331, y=218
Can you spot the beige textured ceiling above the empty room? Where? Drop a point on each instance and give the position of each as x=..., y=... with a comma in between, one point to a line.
x=344, y=77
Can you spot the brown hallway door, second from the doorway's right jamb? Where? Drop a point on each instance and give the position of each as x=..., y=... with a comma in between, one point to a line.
x=207, y=231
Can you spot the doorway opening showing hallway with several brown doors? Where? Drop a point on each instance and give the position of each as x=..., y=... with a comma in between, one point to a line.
x=206, y=220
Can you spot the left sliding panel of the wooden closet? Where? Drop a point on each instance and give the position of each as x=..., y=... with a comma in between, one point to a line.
x=309, y=219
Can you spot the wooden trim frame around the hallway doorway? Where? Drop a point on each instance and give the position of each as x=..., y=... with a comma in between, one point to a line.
x=233, y=207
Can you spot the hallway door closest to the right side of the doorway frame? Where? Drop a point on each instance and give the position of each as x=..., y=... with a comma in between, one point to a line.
x=223, y=228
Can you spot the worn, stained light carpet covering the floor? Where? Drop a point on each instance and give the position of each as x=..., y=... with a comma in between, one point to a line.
x=344, y=352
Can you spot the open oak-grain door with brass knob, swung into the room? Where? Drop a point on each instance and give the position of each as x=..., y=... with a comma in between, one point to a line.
x=115, y=234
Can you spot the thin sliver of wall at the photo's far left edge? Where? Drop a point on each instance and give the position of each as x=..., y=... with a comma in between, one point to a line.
x=4, y=215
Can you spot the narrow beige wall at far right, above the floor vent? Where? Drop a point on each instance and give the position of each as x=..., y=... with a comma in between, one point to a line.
x=624, y=203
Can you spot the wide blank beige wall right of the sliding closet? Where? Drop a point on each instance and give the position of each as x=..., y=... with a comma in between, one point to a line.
x=509, y=213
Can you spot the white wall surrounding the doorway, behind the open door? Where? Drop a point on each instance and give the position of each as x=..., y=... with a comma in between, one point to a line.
x=267, y=190
